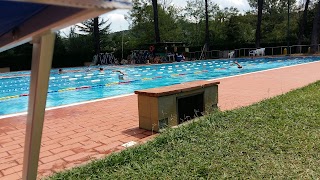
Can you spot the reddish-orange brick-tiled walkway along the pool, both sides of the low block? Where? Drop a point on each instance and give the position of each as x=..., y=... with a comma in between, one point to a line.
x=74, y=135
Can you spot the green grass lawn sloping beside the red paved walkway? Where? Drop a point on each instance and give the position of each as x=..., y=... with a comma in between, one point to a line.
x=277, y=138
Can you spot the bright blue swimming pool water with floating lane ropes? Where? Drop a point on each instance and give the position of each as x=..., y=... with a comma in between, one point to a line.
x=81, y=84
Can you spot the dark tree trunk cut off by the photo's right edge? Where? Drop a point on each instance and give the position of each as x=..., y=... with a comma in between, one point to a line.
x=315, y=30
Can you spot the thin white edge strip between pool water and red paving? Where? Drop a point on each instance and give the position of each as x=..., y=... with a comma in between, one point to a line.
x=119, y=96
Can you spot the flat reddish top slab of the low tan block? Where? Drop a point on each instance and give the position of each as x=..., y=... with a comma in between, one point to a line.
x=175, y=89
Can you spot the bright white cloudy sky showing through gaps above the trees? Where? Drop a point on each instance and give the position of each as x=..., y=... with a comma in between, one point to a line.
x=118, y=23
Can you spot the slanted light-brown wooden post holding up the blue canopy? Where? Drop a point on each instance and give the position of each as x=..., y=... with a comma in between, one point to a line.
x=40, y=72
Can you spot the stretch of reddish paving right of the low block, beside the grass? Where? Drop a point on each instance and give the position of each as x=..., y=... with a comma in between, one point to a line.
x=248, y=89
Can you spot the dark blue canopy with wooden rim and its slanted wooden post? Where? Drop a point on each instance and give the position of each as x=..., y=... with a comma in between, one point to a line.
x=35, y=21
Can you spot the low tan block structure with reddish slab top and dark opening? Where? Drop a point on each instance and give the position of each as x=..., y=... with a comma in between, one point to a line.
x=171, y=105
